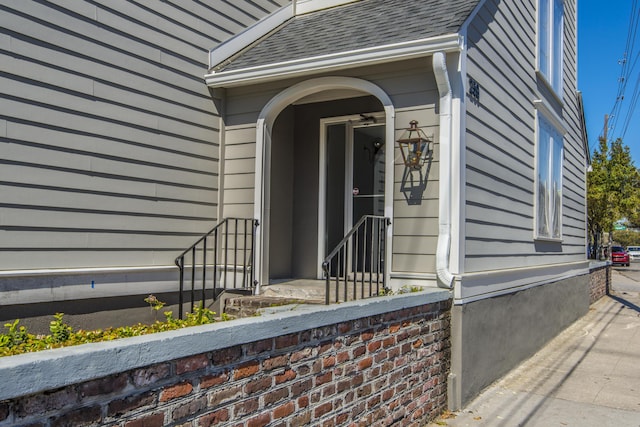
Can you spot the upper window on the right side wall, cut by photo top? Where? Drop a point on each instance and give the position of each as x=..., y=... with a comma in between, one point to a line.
x=550, y=43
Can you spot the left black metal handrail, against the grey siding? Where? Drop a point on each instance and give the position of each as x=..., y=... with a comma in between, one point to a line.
x=226, y=249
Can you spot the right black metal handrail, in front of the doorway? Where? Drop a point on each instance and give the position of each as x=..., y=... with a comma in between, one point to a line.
x=358, y=261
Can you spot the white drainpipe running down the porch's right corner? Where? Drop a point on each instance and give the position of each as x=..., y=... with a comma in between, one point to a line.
x=444, y=275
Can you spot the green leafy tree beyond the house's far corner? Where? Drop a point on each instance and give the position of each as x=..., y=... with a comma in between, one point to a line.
x=613, y=189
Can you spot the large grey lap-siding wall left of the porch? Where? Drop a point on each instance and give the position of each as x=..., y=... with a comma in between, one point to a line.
x=109, y=137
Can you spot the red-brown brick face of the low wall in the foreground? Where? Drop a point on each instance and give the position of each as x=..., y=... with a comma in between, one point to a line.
x=373, y=370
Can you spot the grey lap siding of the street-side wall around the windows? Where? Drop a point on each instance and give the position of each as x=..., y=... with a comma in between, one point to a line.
x=500, y=143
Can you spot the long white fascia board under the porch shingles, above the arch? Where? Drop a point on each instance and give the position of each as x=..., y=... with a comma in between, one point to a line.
x=341, y=60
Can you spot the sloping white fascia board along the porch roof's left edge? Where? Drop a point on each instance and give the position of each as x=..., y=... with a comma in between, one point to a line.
x=227, y=49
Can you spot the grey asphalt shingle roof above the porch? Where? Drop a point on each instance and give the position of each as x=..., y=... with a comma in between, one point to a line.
x=359, y=25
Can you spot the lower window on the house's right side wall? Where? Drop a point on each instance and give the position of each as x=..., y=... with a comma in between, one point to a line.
x=549, y=126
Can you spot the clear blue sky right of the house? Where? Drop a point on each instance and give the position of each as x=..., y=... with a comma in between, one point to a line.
x=602, y=37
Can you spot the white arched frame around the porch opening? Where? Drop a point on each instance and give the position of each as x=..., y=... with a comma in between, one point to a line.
x=264, y=125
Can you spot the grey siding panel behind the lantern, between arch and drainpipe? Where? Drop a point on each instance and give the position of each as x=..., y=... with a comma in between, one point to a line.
x=415, y=206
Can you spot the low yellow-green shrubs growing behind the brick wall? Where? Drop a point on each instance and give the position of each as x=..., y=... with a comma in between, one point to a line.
x=16, y=339
